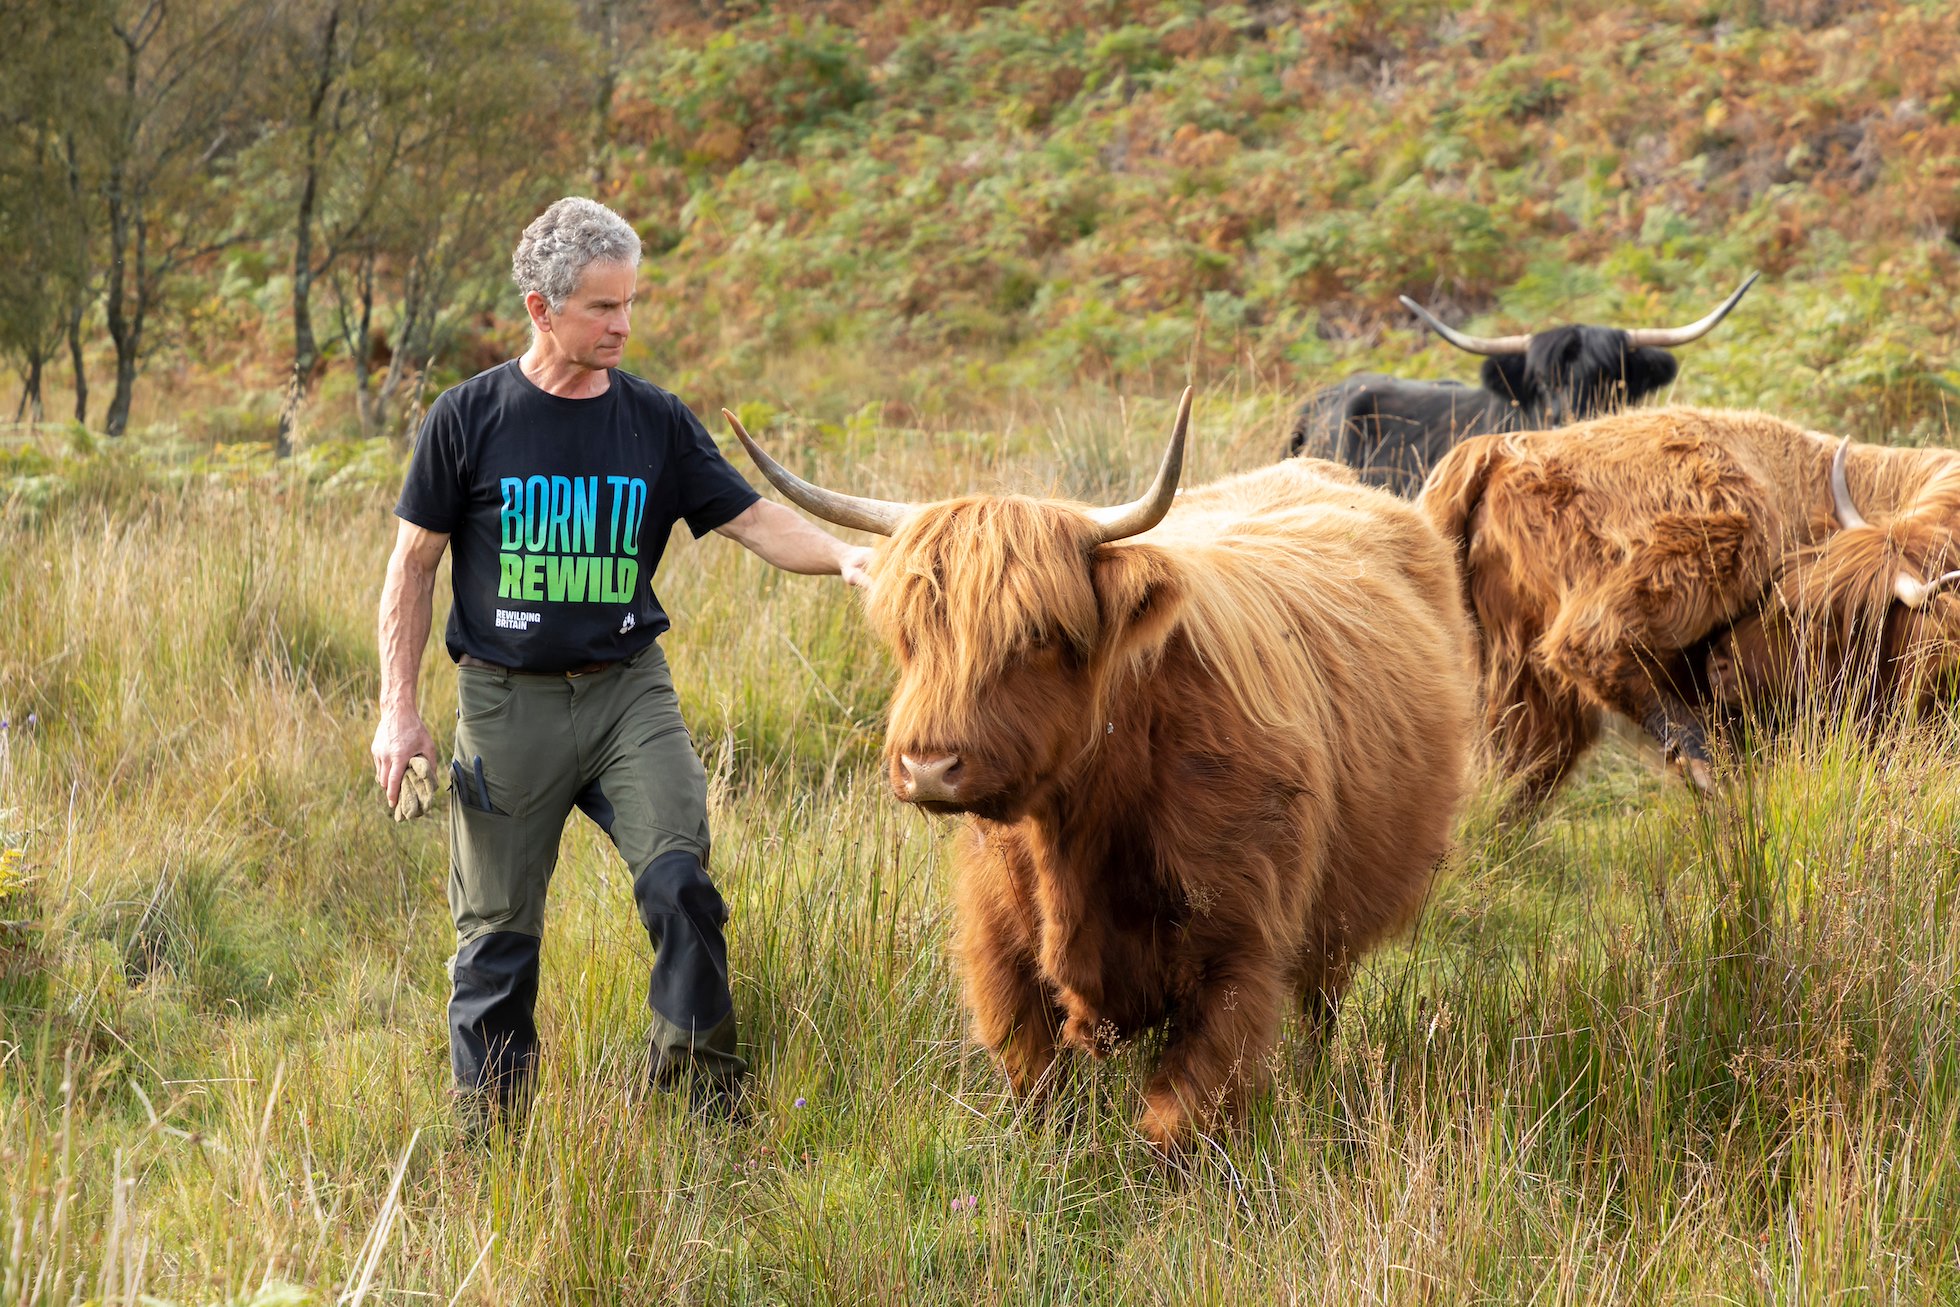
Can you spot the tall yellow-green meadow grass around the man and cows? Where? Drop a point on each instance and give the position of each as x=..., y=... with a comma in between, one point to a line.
x=1640, y=1049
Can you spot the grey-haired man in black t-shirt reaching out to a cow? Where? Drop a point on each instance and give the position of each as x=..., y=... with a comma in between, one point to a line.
x=558, y=479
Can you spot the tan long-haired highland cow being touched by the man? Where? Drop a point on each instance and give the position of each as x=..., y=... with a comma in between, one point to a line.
x=1208, y=750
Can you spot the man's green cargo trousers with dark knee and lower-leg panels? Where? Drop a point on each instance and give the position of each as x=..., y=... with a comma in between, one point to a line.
x=530, y=748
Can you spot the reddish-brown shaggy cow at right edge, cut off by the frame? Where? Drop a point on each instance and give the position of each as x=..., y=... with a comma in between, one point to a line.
x=1643, y=561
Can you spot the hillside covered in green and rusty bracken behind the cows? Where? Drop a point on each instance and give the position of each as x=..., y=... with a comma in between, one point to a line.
x=1034, y=195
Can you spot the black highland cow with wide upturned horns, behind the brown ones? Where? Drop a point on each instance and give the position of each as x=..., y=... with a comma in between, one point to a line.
x=1395, y=430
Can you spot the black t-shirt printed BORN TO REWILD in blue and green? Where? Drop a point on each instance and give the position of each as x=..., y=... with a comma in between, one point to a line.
x=558, y=512
